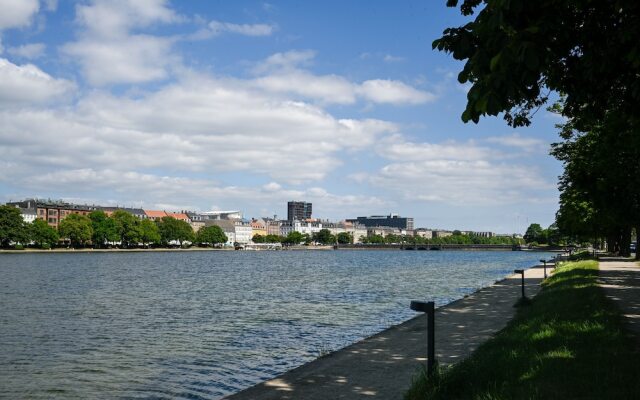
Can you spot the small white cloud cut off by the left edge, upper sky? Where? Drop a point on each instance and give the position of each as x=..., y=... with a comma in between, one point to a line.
x=28, y=85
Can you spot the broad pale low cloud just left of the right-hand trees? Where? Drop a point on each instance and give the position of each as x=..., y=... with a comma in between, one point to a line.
x=455, y=173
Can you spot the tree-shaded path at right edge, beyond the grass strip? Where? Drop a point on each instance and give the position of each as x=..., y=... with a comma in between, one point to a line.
x=621, y=282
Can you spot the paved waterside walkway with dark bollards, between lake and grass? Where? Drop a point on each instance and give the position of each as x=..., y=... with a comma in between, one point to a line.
x=381, y=366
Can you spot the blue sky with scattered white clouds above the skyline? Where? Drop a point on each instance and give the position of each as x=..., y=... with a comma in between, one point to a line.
x=245, y=105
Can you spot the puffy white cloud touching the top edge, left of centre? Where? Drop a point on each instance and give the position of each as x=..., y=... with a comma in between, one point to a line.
x=110, y=53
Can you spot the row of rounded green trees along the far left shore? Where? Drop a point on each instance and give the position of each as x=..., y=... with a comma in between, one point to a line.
x=99, y=230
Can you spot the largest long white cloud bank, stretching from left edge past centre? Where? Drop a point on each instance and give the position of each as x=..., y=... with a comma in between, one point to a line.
x=199, y=124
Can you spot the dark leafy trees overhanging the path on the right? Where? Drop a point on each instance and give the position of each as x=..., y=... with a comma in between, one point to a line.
x=586, y=56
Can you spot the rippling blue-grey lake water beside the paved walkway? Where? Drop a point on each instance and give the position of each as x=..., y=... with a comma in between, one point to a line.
x=206, y=324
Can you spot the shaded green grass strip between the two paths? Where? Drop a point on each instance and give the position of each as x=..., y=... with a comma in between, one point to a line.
x=567, y=344
